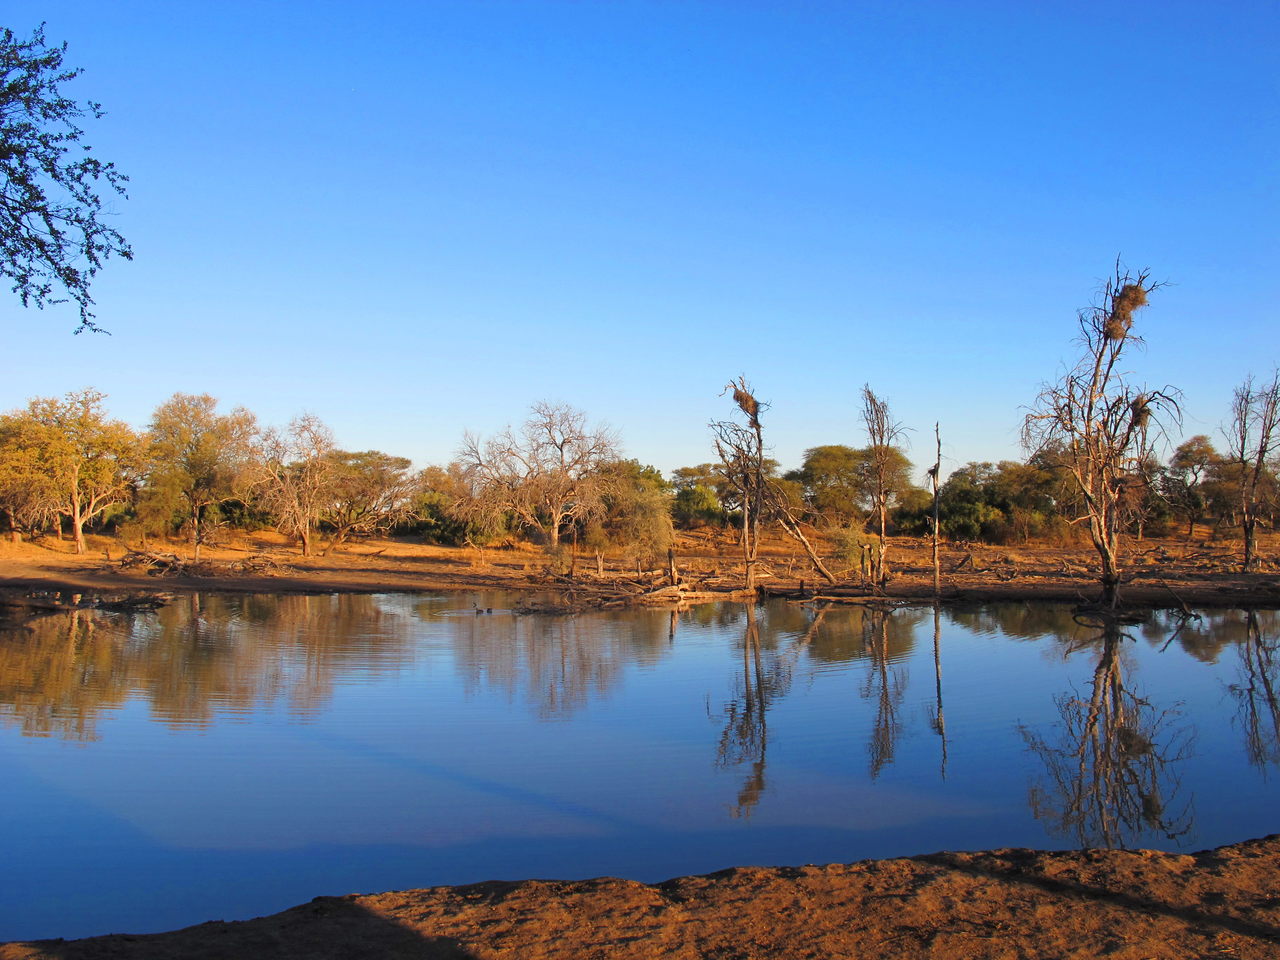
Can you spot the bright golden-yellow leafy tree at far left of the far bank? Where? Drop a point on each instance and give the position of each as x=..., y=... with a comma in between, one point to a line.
x=79, y=459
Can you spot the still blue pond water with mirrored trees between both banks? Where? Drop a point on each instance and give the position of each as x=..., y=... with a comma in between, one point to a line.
x=227, y=757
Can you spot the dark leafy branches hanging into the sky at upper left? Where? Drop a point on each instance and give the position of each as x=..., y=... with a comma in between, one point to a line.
x=52, y=240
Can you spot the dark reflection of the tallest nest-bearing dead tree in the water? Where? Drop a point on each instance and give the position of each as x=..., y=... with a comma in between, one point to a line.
x=1112, y=772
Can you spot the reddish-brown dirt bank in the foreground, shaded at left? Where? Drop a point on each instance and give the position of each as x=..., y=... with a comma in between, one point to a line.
x=1127, y=906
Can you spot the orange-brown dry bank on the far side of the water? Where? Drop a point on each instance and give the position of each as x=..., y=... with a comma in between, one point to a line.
x=1159, y=573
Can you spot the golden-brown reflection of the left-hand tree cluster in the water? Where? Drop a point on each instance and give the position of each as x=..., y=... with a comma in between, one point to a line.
x=194, y=661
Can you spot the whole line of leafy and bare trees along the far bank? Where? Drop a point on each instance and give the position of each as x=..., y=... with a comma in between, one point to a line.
x=1092, y=473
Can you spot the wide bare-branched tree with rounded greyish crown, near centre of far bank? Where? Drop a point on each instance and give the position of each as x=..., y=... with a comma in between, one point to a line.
x=548, y=476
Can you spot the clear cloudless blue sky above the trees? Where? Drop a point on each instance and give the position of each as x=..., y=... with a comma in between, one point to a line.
x=414, y=220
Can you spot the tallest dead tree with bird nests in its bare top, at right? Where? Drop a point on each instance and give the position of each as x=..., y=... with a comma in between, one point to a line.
x=1098, y=426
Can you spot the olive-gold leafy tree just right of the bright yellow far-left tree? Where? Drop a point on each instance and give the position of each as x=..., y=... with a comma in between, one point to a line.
x=200, y=459
